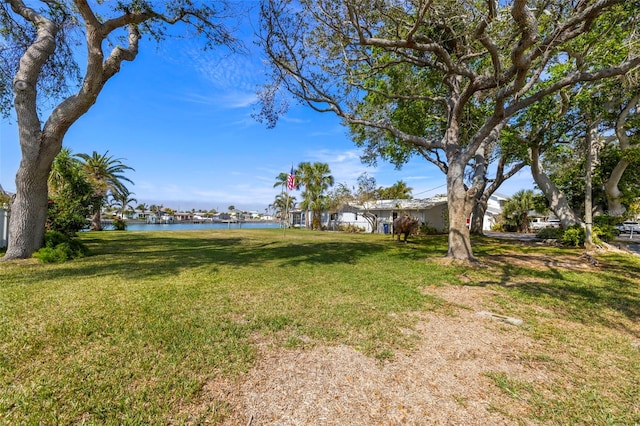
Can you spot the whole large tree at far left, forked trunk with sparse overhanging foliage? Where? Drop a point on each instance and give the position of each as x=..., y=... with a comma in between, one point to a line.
x=39, y=39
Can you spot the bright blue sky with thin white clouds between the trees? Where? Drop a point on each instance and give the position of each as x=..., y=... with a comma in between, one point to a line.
x=182, y=119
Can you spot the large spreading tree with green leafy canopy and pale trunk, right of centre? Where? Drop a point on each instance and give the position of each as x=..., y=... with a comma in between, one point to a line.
x=466, y=67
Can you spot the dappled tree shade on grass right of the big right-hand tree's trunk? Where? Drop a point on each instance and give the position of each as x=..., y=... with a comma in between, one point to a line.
x=572, y=286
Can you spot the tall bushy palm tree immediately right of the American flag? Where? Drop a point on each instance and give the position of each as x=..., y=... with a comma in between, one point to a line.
x=316, y=179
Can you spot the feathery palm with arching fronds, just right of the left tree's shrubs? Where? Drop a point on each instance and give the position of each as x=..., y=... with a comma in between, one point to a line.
x=106, y=175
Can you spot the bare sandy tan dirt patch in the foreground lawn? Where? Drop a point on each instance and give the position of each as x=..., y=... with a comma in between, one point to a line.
x=442, y=381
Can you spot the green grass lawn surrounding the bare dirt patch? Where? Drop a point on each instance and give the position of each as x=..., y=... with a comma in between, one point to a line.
x=130, y=334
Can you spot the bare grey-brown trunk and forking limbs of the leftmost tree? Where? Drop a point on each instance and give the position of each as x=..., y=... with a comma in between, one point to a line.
x=40, y=144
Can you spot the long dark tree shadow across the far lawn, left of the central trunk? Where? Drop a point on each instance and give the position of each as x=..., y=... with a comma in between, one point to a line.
x=139, y=256
